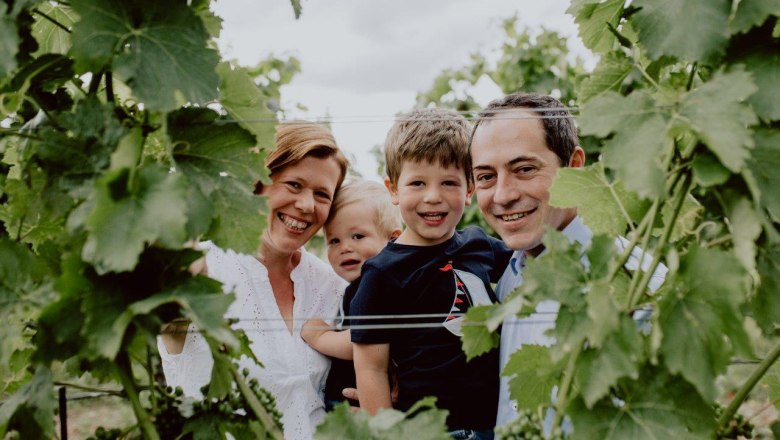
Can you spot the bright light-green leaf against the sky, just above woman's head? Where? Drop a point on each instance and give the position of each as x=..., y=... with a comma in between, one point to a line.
x=245, y=102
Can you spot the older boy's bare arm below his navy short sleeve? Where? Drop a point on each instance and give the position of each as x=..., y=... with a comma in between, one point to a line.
x=371, y=362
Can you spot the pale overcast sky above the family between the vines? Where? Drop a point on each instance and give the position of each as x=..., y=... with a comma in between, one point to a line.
x=363, y=61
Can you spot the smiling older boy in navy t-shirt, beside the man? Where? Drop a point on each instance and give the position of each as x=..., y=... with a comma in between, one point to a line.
x=433, y=273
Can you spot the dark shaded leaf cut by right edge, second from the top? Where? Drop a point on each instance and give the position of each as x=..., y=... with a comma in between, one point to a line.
x=763, y=64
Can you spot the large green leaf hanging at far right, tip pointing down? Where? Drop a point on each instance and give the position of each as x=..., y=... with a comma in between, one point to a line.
x=699, y=313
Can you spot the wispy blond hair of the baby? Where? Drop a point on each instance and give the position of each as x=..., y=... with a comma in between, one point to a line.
x=378, y=204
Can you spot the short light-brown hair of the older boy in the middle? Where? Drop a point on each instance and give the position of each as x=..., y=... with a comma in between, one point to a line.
x=432, y=135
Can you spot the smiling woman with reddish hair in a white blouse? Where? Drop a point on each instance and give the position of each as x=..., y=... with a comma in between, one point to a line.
x=279, y=286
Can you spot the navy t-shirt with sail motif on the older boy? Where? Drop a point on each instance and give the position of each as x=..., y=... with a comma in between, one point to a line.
x=440, y=283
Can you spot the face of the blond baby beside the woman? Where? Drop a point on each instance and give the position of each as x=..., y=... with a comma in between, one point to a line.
x=352, y=238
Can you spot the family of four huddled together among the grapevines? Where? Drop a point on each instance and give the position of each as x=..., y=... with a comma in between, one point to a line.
x=394, y=252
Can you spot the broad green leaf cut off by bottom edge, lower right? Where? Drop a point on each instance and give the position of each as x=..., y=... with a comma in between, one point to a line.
x=656, y=406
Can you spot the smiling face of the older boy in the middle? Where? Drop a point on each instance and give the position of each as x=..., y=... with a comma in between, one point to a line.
x=431, y=199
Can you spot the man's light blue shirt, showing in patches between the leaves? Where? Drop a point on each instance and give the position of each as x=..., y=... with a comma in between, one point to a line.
x=531, y=330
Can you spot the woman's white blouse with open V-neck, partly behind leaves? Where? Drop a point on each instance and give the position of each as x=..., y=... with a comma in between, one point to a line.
x=294, y=372
